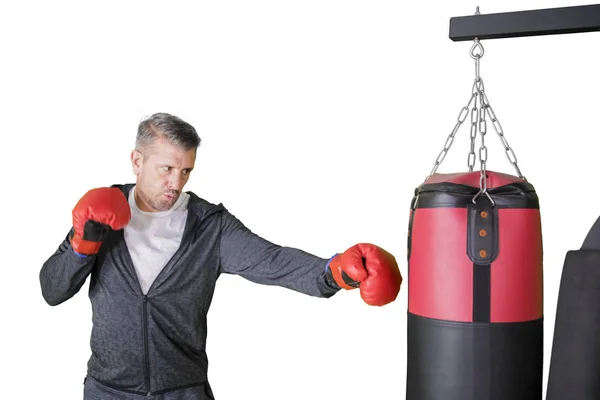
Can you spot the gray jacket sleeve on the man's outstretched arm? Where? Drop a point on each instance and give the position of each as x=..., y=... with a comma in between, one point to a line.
x=246, y=254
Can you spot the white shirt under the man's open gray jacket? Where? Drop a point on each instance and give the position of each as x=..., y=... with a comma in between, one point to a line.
x=153, y=237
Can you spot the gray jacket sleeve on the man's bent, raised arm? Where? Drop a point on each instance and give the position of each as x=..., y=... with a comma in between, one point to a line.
x=64, y=273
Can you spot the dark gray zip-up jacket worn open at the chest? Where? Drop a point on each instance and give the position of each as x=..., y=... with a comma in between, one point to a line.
x=155, y=343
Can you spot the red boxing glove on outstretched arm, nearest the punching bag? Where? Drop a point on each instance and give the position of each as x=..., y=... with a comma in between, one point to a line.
x=370, y=268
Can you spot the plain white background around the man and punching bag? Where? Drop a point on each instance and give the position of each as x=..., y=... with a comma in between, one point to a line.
x=318, y=120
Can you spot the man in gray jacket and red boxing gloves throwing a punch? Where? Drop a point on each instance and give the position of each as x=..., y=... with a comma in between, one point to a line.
x=154, y=252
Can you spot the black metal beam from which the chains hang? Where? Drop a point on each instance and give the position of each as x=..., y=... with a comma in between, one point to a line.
x=550, y=21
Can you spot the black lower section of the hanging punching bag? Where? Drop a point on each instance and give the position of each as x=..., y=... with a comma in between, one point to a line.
x=474, y=361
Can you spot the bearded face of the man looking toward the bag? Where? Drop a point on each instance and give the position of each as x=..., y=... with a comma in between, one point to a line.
x=162, y=171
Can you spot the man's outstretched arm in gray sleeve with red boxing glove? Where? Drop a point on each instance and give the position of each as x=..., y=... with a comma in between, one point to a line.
x=365, y=266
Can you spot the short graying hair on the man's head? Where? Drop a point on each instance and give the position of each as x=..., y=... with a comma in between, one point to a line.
x=178, y=132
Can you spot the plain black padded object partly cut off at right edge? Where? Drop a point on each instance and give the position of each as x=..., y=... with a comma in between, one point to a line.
x=575, y=360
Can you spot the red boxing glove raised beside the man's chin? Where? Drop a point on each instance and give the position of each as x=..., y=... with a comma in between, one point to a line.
x=97, y=211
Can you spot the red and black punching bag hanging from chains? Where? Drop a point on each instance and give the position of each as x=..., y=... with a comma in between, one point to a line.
x=475, y=290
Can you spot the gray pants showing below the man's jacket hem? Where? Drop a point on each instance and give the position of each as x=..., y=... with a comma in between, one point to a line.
x=94, y=390
